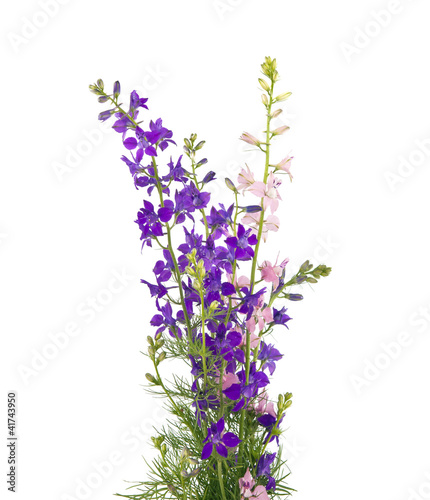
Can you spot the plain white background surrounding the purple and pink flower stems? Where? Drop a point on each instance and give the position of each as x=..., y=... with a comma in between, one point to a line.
x=359, y=425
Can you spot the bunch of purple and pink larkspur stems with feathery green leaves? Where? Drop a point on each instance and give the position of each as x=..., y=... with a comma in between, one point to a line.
x=217, y=303
